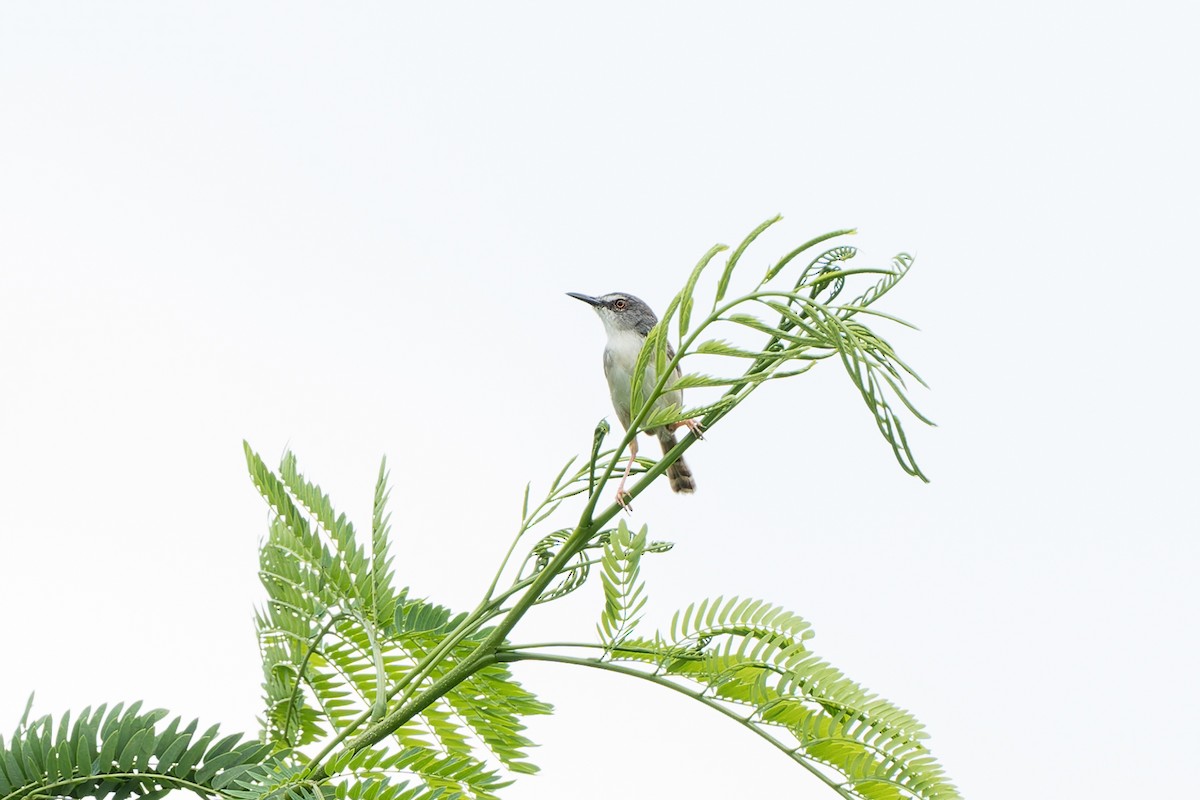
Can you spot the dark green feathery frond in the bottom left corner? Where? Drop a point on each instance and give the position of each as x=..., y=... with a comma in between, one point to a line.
x=121, y=753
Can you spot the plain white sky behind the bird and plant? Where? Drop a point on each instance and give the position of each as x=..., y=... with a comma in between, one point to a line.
x=347, y=230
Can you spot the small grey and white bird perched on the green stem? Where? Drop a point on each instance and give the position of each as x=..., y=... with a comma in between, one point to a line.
x=628, y=321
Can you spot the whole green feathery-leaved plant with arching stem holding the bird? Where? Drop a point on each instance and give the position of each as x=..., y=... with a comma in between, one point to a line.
x=375, y=695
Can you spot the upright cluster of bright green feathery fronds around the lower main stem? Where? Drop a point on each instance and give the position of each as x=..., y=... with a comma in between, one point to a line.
x=337, y=637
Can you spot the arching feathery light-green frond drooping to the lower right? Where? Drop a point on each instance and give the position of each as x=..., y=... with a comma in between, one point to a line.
x=751, y=655
